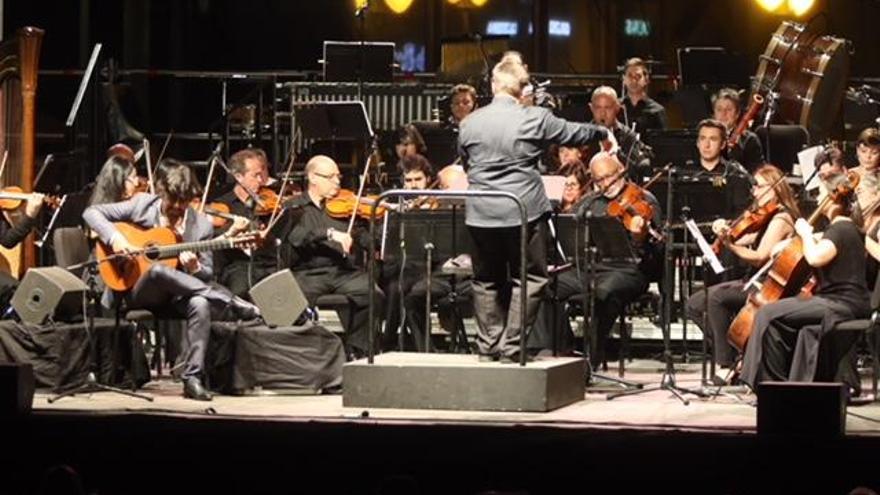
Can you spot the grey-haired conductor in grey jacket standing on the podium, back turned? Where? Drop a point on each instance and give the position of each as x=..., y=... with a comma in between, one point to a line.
x=500, y=145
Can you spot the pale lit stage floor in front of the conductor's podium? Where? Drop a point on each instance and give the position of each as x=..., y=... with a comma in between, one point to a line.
x=731, y=412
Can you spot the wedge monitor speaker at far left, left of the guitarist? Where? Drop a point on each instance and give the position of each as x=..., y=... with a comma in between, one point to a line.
x=48, y=292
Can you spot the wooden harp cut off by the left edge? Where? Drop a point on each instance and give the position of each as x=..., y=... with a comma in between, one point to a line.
x=19, y=62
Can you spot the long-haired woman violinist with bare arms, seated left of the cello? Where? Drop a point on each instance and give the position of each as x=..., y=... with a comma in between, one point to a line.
x=770, y=220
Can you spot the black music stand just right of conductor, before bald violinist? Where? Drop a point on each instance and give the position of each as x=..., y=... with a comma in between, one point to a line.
x=605, y=241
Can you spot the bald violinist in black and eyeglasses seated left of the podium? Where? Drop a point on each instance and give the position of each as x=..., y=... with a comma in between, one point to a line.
x=321, y=250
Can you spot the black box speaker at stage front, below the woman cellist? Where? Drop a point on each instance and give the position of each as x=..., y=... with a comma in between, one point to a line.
x=802, y=409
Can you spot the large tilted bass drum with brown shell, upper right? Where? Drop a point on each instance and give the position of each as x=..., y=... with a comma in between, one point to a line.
x=809, y=73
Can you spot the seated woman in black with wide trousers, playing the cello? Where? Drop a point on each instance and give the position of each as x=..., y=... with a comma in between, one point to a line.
x=784, y=344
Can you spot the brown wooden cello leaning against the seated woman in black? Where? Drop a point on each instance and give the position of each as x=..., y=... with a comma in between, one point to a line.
x=786, y=273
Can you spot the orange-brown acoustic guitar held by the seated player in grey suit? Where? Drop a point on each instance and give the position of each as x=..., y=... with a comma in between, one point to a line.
x=121, y=271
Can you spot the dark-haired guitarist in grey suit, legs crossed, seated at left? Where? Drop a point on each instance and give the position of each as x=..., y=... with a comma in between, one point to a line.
x=187, y=289
